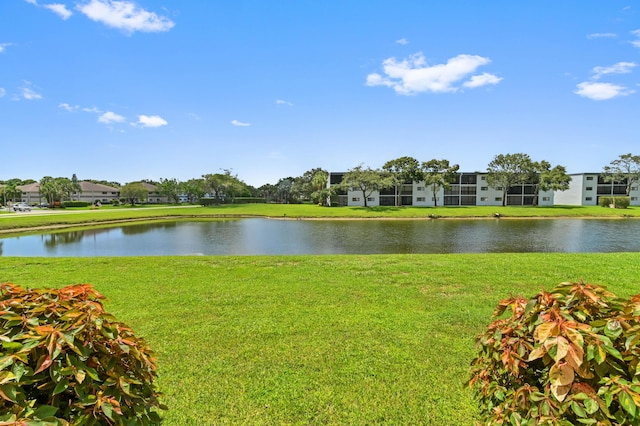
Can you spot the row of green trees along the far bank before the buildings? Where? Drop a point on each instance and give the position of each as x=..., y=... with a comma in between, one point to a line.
x=504, y=171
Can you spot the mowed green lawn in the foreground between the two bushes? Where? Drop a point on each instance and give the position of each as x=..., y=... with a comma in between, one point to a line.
x=378, y=339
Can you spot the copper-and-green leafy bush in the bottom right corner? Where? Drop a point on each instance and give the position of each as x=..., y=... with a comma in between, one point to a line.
x=565, y=357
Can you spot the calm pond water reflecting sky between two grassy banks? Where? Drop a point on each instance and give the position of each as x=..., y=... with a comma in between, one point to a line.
x=264, y=236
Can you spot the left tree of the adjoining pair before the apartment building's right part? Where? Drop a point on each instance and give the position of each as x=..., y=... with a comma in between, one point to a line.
x=507, y=170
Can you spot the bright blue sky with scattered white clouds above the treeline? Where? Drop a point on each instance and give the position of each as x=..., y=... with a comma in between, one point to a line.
x=150, y=89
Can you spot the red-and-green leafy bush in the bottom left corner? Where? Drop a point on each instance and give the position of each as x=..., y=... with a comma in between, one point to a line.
x=64, y=360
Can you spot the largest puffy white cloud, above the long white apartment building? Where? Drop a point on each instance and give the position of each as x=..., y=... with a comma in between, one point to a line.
x=414, y=75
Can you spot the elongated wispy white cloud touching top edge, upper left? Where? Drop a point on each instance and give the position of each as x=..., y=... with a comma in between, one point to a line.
x=125, y=15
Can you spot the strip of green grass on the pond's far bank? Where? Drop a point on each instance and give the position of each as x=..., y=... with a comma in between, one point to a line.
x=18, y=221
